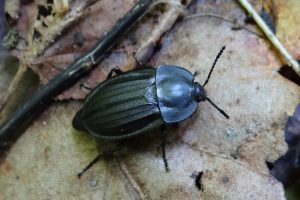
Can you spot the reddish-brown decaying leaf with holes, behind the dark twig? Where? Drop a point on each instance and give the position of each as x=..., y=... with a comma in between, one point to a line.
x=75, y=40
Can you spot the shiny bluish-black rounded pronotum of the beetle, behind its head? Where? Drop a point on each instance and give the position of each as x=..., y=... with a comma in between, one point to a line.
x=176, y=92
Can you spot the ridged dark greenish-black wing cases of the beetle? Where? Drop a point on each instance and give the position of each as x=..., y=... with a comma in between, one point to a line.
x=123, y=106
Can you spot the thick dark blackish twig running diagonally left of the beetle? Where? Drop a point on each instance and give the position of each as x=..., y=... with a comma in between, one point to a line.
x=30, y=109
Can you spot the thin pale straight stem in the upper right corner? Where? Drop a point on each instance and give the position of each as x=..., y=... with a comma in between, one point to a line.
x=273, y=39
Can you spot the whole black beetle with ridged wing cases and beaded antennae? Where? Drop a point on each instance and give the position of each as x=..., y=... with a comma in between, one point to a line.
x=138, y=101
